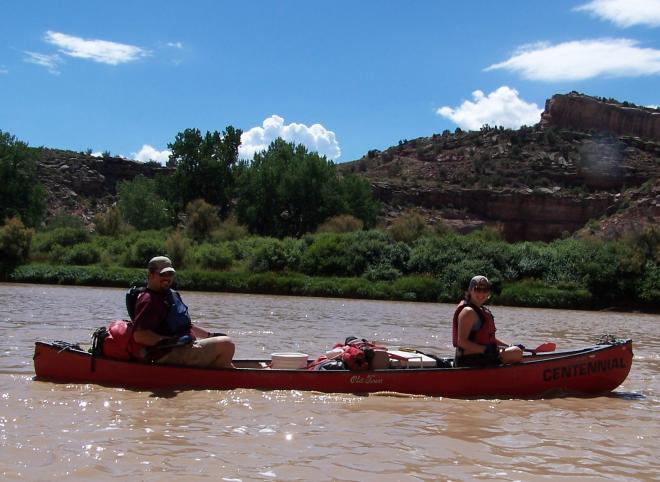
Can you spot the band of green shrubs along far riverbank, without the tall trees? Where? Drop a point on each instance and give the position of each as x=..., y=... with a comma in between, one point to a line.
x=434, y=266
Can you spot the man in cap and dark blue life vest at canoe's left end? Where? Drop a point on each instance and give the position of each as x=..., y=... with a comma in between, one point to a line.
x=163, y=331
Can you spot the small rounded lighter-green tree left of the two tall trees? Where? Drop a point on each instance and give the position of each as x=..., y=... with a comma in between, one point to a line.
x=141, y=206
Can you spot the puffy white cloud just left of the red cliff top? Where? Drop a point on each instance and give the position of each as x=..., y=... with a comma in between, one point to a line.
x=503, y=107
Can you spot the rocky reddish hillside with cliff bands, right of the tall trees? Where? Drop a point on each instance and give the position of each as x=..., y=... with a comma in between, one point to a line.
x=534, y=183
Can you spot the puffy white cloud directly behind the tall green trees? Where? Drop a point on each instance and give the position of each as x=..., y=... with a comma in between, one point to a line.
x=315, y=138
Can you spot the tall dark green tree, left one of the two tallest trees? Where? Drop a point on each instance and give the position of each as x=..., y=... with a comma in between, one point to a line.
x=204, y=166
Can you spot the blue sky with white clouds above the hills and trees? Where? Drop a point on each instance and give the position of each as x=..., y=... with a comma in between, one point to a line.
x=341, y=77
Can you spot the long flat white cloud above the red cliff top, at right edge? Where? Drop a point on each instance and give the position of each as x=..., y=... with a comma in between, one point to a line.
x=582, y=59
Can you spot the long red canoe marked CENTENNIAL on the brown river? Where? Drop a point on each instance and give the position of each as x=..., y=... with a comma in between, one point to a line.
x=587, y=371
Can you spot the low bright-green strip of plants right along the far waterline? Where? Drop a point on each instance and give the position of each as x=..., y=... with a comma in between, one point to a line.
x=407, y=288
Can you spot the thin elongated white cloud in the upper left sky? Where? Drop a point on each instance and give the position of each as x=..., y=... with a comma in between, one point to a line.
x=101, y=51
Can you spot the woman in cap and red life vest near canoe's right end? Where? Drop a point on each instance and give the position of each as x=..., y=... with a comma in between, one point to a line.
x=473, y=330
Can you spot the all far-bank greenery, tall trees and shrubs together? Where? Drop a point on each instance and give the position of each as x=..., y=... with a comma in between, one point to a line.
x=287, y=223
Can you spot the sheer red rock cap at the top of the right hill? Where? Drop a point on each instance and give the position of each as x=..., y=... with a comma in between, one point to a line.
x=585, y=113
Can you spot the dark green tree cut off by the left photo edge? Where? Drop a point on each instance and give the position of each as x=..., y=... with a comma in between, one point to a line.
x=21, y=194
